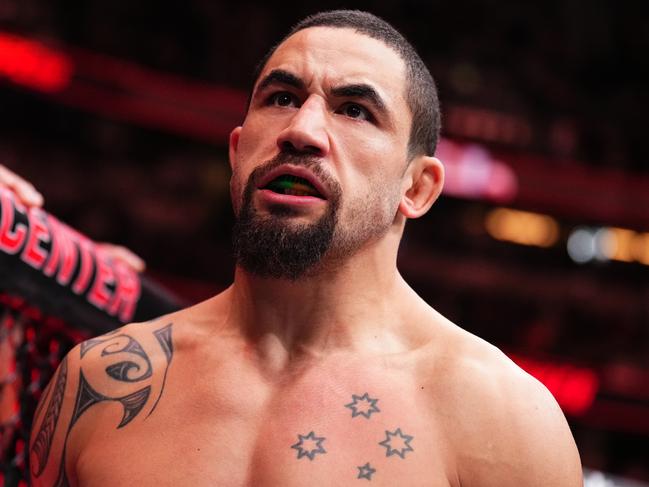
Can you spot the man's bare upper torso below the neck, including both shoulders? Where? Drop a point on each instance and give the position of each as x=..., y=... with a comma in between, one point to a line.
x=114, y=415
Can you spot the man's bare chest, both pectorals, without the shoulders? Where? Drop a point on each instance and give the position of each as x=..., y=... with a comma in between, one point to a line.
x=337, y=426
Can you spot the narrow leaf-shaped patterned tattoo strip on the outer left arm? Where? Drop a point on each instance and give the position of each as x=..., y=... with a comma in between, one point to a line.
x=43, y=442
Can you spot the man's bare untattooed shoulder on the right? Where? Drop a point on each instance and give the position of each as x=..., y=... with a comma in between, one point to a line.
x=505, y=426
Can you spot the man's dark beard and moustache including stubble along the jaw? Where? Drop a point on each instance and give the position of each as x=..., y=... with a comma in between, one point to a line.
x=272, y=246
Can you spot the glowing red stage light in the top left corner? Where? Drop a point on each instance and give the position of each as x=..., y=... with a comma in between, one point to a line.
x=34, y=65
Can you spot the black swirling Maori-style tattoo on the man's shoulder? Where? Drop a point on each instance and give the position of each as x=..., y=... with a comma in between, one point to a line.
x=124, y=359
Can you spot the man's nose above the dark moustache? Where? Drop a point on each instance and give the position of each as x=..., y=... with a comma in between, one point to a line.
x=307, y=129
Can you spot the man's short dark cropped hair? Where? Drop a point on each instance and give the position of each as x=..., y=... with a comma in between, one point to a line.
x=421, y=93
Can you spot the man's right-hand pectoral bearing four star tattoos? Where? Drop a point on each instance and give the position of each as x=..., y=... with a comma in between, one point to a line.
x=349, y=435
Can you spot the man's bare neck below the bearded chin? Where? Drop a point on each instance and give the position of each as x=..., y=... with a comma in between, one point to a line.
x=358, y=306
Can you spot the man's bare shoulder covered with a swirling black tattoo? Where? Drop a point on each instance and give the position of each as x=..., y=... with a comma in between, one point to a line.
x=126, y=367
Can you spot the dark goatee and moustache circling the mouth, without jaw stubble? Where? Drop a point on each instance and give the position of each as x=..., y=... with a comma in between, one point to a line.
x=271, y=245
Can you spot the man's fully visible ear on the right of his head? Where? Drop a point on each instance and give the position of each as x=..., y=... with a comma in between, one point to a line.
x=425, y=179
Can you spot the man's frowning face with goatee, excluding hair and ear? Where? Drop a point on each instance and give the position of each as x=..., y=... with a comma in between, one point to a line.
x=319, y=160
